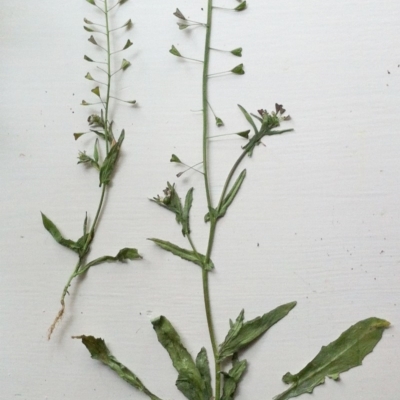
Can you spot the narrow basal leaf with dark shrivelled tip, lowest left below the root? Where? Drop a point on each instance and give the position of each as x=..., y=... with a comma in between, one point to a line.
x=99, y=351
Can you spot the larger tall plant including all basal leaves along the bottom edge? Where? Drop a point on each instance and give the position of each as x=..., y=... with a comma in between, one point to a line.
x=194, y=374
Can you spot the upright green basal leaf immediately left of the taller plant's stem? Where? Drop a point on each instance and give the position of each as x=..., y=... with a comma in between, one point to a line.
x=189, y=380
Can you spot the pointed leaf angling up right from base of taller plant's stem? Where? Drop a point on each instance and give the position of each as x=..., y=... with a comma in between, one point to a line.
x=242, y=333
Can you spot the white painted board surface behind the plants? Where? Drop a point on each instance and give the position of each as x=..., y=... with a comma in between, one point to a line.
x=317, y=219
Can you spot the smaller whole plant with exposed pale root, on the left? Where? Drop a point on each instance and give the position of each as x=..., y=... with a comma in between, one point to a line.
x=106, y=147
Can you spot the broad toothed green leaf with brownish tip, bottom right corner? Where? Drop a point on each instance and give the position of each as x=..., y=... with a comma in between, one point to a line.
x=346, y=352
